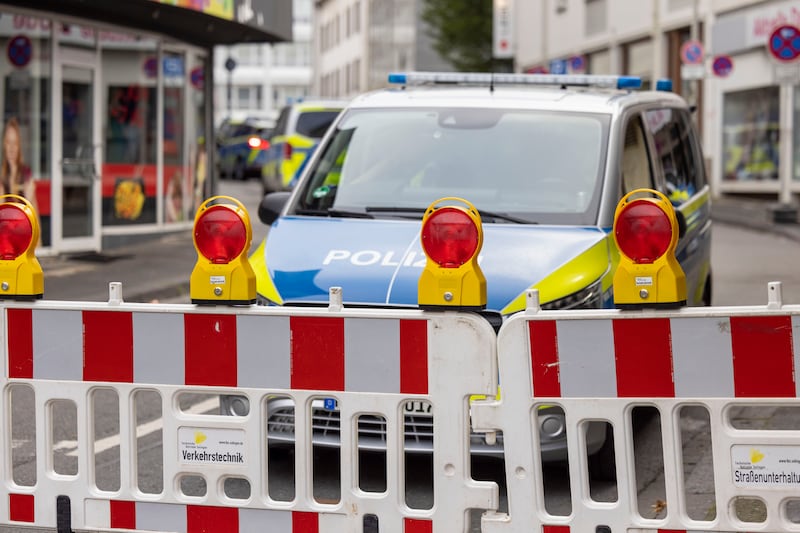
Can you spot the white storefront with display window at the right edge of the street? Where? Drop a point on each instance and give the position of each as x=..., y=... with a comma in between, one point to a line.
x=755, y=104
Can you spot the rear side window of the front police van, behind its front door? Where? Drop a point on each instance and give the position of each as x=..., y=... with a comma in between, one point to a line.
x=675, y=144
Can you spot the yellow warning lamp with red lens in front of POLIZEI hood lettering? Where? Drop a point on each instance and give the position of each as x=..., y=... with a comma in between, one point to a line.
x=451, y=237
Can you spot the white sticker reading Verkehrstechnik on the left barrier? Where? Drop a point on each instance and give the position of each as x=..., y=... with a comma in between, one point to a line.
x=211, y=446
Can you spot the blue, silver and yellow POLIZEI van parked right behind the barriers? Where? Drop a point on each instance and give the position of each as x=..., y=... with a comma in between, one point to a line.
x=544, y=158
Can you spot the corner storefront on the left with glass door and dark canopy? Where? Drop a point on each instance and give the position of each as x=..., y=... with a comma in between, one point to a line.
x=107, y=110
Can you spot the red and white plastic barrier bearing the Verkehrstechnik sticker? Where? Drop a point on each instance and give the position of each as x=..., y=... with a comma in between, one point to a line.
x=369, y=361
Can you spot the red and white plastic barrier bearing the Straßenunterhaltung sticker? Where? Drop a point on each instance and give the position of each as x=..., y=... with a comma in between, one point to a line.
x=599, y=365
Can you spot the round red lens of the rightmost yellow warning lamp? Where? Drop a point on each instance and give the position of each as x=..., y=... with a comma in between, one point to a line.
x=643, y=231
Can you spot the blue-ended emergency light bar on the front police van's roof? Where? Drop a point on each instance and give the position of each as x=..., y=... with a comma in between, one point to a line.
x=489, y=78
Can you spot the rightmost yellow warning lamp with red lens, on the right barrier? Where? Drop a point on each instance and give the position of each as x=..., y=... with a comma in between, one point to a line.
x=646, y=234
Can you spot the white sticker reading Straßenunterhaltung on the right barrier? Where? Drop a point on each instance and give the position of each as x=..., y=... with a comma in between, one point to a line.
x=766, y=466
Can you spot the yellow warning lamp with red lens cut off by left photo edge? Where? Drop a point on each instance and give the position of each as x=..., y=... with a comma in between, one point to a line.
x=21, y=276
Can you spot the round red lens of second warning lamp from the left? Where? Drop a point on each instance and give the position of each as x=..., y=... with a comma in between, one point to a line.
x=220, y=234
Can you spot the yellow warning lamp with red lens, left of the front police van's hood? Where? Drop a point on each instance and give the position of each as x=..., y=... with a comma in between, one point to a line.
x=222, y=235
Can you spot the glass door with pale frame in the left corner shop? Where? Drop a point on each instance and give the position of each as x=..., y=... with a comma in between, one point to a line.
x=79, y=205
